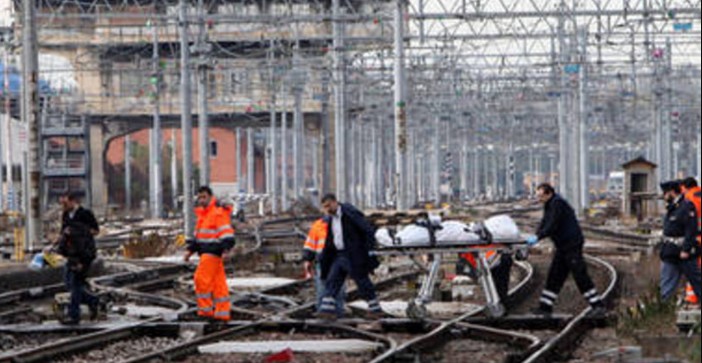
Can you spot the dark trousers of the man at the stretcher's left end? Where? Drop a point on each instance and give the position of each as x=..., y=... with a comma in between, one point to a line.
x=340, y=270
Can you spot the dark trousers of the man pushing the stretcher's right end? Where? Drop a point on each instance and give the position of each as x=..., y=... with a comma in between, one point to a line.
x=566, y=263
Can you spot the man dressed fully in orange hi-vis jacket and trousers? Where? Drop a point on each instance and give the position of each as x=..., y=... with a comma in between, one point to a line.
x=214, y=238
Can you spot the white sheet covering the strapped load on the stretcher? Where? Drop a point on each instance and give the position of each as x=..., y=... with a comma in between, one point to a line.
x=451, y=233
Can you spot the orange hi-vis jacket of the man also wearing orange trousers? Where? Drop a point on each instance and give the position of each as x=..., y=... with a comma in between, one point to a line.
x=214, y=233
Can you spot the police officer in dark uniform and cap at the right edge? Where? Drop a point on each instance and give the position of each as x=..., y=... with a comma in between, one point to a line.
x=679, y=250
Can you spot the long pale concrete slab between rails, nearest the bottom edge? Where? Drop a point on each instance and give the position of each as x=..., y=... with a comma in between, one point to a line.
x=302, y=346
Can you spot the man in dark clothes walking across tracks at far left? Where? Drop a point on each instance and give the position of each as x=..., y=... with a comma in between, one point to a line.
x=77, y=244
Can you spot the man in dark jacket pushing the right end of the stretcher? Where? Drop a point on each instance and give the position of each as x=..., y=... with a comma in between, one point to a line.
x=561, y=225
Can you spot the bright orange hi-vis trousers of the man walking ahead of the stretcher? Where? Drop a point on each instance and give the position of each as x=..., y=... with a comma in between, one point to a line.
x=212, y=289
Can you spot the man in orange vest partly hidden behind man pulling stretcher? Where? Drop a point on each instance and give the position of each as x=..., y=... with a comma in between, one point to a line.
x=314, y=245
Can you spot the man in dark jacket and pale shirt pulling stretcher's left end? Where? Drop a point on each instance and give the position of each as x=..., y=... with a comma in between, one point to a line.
x=350, y=239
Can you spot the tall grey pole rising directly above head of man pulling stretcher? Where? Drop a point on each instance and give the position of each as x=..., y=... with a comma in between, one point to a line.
x=339, y=101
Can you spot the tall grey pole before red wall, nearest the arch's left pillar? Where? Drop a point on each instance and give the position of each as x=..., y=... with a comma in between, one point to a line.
x=156, y=190
